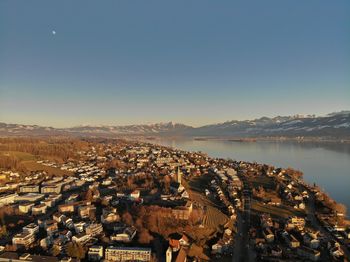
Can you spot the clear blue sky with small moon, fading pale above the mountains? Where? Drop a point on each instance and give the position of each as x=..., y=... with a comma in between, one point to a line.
x=66, y=63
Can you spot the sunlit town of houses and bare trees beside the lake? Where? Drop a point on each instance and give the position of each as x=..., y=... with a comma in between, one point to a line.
x=119, y=200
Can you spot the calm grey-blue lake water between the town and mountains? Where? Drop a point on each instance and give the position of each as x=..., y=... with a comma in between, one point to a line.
x=326, y=164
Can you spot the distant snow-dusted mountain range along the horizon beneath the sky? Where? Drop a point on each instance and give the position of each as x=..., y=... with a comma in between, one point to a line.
x=335, y=125
